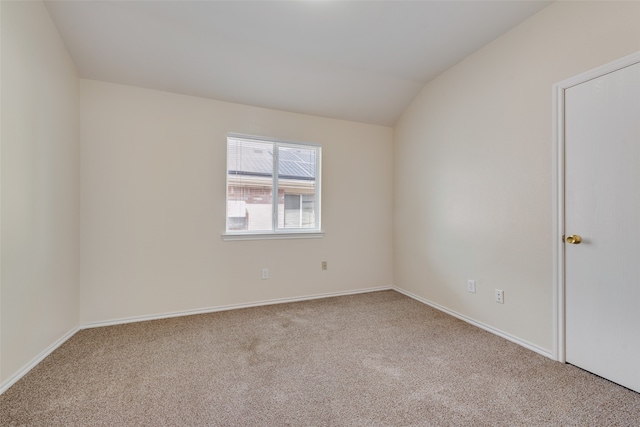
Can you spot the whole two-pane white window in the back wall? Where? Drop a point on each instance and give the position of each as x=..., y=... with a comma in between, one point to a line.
x=273, y=187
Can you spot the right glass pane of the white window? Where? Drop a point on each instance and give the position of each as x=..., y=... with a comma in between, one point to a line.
x=297, y=186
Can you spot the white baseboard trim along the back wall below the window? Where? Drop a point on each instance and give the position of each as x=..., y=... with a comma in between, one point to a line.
x=135, y=319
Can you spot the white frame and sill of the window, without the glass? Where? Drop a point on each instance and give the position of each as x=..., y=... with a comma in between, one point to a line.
x=276, y=232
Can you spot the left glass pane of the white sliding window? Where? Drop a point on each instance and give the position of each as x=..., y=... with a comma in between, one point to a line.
x=250, y=185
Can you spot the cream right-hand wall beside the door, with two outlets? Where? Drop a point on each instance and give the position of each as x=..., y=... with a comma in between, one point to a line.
x=473, y=167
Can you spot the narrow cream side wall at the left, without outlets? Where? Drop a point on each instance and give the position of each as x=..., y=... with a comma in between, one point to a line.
x=40, y=211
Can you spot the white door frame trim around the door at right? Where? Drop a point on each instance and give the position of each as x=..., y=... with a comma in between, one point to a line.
x=558, y=204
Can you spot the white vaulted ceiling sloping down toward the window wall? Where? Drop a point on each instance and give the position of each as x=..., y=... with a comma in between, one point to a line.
x=354, y=60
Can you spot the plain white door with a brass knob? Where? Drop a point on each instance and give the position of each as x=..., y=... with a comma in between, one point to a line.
x=602, y=206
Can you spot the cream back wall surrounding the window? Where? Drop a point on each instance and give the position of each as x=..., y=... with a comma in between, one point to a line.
x=153, y=206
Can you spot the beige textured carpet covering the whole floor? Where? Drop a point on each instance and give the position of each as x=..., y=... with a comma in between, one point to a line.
x=377, y=359
